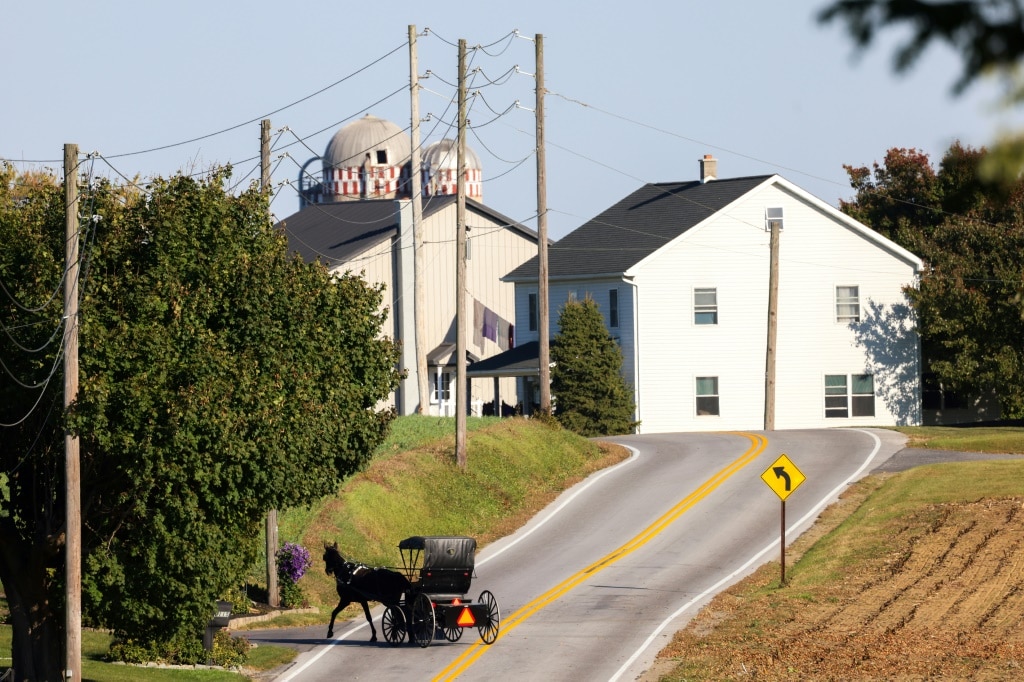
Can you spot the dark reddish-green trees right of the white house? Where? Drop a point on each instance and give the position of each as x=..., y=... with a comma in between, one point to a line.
x=971, y=235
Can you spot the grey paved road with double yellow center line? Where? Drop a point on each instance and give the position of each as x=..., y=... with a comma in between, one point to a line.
x=593, y=587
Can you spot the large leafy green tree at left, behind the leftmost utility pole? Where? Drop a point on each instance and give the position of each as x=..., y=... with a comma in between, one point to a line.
x=220, y=378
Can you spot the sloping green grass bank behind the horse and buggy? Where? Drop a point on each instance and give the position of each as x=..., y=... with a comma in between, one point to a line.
x=516, y=467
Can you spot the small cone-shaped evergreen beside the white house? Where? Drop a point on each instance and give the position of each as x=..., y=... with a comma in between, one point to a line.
x=591, y=397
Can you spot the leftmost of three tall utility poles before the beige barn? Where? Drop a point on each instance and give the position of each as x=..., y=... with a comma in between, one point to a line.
x=420, y=265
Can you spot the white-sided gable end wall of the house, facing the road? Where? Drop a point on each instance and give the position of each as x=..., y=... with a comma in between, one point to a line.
x=731, y=252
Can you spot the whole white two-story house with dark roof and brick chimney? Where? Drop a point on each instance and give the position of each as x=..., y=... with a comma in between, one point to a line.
x=681, y=273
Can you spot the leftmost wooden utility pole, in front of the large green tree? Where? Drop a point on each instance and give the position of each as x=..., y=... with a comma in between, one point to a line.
x=73, y=472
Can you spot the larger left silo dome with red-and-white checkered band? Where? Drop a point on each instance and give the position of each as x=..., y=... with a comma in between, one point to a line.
x=367, y=159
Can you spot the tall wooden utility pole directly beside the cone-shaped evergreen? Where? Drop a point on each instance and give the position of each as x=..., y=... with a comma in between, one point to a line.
x=544, y=354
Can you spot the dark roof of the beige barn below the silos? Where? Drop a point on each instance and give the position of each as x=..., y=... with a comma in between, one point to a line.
x=337, y=233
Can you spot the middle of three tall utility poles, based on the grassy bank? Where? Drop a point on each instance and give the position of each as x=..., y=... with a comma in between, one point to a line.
x=462, y=387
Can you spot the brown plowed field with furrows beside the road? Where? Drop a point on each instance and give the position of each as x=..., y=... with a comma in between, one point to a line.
x=945, y=602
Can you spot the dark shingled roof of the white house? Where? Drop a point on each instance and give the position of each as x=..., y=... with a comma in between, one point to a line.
x=636, y=227
